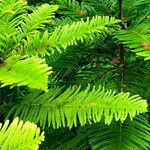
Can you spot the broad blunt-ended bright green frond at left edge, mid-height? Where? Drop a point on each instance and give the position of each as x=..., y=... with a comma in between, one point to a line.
x=32, y=72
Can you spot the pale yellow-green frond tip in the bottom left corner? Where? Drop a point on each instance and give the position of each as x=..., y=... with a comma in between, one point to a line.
x=20, y=136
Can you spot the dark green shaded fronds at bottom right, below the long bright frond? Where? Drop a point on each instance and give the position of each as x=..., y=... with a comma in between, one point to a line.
x=130, y=135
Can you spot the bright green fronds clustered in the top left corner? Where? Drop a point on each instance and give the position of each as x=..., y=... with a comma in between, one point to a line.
x=15, y=32
